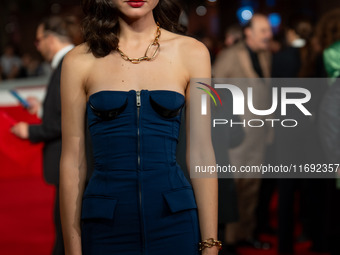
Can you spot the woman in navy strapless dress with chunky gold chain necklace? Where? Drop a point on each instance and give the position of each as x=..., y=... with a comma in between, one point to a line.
x=131, y=80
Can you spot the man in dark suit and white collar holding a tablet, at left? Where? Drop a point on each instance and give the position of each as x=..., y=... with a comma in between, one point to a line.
x=53, y=42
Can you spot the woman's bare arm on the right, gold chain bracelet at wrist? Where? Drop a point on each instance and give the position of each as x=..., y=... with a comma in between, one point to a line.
x=199, y=148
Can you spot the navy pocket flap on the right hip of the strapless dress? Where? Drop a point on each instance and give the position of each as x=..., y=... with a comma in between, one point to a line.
x=180, y=199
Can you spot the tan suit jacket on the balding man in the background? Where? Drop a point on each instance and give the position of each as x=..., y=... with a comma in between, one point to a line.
x=235, y=62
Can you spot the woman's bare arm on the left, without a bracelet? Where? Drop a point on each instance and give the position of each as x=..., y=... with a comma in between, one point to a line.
x=73, y=159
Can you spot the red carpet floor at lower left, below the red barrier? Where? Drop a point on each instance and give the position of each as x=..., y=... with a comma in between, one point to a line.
x=26, y=216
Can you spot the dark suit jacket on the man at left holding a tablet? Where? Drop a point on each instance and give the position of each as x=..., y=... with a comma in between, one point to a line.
x=49, y=132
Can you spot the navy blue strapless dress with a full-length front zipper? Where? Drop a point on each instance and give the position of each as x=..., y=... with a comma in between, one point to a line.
x=138, y=200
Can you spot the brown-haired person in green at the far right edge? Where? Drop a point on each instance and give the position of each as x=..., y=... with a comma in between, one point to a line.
x=328, y=34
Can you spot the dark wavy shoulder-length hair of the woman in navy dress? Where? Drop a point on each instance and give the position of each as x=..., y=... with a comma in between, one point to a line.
x=100, y=26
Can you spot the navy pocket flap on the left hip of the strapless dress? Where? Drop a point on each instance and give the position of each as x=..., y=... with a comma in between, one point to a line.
x=96, y=207
